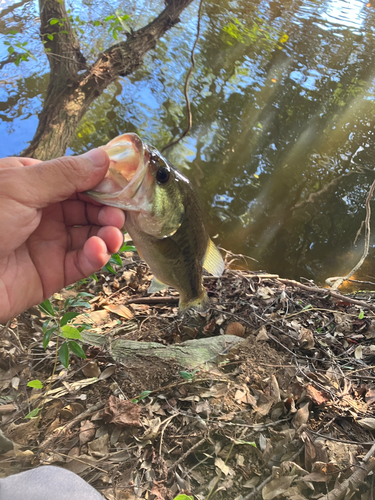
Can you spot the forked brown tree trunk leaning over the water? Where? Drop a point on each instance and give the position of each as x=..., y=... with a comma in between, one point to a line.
x=70, y=92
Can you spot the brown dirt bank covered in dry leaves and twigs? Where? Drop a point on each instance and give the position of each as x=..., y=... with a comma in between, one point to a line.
x=285, y=410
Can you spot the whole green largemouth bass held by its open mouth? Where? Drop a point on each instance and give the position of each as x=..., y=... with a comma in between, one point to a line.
x=163, y=217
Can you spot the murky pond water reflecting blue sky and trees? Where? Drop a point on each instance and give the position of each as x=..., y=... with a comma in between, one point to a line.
x=282, y=144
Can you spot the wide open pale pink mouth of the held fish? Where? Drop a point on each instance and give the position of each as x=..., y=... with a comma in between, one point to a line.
x=129, y=159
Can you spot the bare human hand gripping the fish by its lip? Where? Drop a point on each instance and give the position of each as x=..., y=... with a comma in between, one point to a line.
x=49, y=235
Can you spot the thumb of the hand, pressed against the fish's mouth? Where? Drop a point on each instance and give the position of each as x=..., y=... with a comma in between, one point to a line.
x=56, y=180
